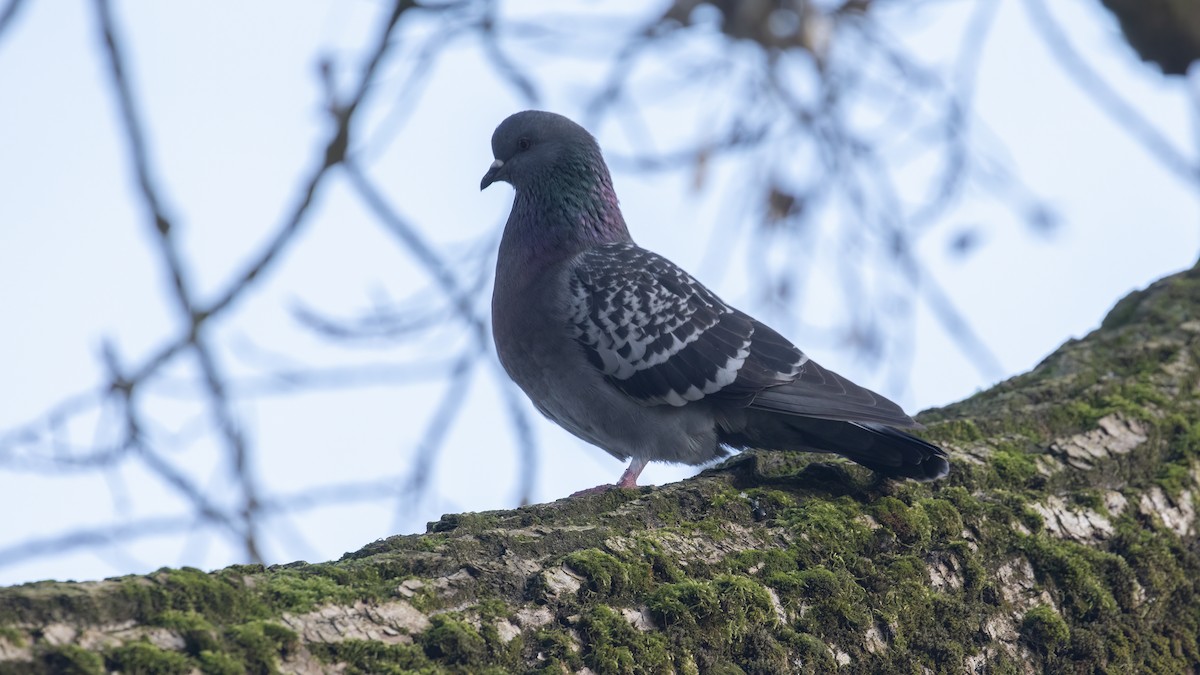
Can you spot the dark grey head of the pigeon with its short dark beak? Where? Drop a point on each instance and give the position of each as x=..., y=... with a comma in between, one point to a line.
x=533, y=145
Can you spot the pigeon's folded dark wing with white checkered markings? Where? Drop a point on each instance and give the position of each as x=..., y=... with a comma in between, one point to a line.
x=661, y=337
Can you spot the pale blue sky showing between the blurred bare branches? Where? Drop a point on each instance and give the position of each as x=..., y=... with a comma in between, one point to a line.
x=233, y=109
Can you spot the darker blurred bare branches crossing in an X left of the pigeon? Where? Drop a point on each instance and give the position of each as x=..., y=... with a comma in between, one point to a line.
x=195, y=315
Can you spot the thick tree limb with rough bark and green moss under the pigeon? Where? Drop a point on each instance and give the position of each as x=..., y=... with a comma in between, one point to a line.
x=1064, y=541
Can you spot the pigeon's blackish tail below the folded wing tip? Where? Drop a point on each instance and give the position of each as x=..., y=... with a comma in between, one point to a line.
x=878, y=447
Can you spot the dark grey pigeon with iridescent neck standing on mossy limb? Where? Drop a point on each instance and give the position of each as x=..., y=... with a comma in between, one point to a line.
x=629, y=353
